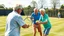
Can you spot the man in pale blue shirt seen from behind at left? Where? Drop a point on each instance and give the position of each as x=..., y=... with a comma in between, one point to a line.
x=14, y=22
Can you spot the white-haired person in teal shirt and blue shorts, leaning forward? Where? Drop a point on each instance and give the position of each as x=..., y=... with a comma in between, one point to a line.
x=45, y=21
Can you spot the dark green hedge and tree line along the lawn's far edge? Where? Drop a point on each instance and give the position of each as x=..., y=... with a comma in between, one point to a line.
x=28, y=10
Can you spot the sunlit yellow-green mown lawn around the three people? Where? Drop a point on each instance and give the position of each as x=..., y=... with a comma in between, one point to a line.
x=56, y=30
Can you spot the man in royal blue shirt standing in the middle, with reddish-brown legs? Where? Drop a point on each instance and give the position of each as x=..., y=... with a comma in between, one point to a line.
x=34, y=17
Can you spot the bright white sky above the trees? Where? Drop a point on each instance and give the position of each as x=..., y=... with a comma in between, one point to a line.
x=12, y=3
